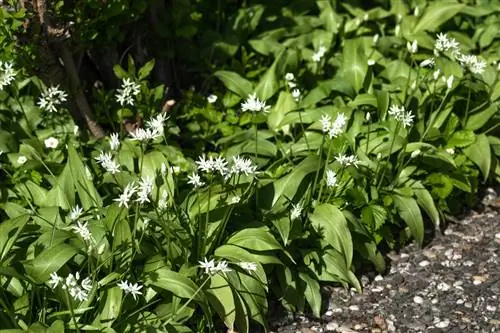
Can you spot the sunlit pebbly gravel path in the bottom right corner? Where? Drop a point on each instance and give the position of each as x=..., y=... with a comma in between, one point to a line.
x=451, y=285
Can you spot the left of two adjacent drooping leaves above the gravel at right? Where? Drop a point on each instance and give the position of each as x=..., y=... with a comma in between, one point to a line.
x=410, y=213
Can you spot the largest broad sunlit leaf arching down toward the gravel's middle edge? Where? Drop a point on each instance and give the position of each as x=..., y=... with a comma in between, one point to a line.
x=329, y=221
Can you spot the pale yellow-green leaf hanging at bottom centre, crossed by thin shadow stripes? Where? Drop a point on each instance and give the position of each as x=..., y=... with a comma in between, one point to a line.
x=220, y=296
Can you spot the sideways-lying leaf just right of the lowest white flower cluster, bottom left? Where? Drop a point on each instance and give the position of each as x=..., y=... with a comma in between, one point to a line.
x=176, y=283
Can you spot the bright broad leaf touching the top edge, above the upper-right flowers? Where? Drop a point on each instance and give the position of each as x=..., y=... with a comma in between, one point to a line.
x=436, y=14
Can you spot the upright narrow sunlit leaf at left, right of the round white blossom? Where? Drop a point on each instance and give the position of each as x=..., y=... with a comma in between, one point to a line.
x=89, y=197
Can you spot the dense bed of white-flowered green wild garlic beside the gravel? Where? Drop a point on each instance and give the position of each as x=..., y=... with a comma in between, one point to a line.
x=316, y=136
